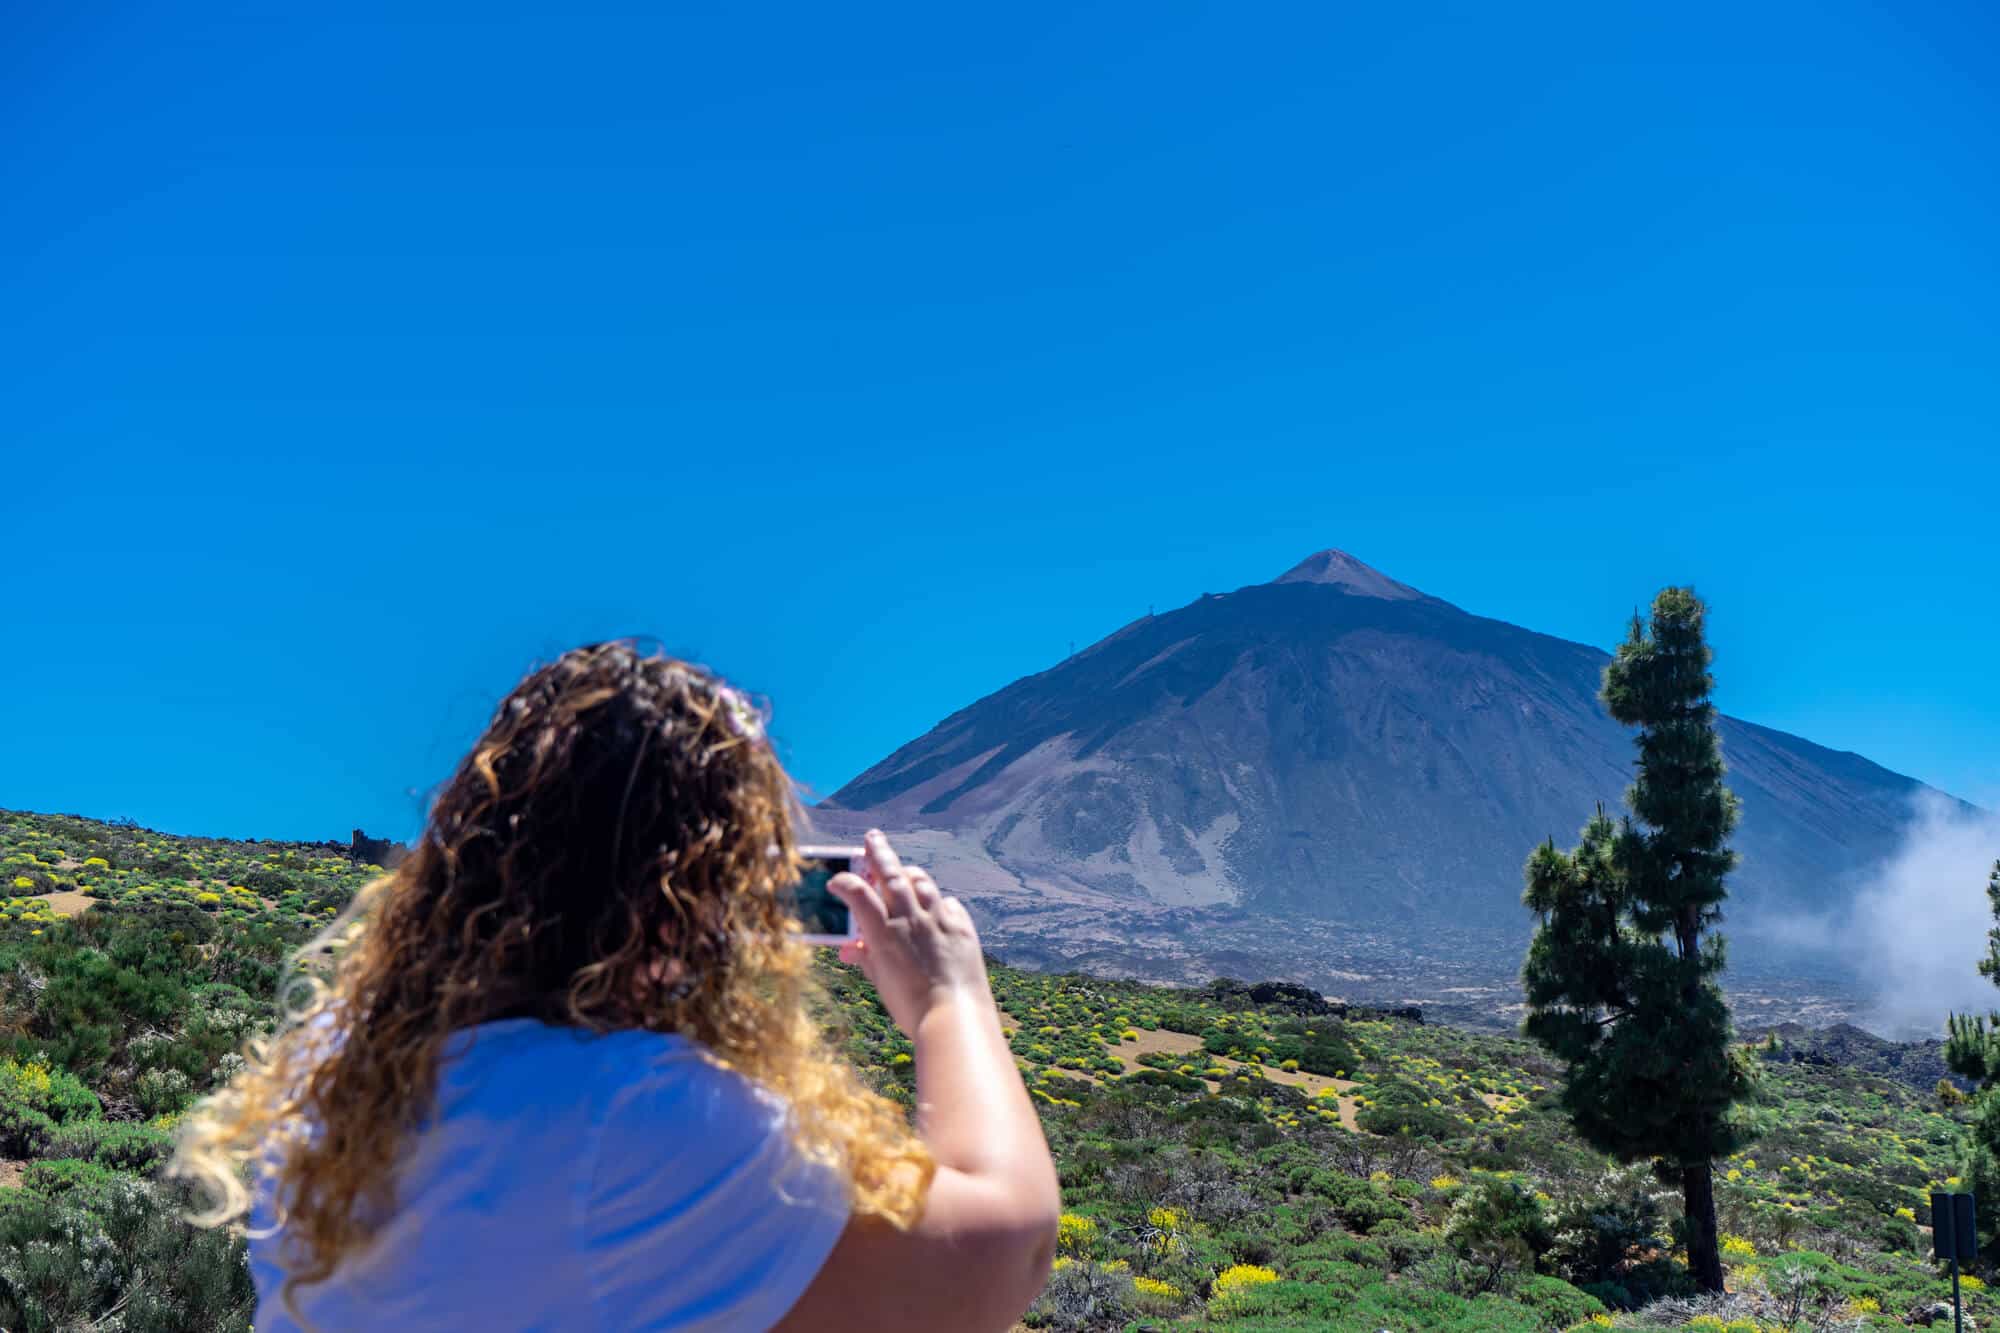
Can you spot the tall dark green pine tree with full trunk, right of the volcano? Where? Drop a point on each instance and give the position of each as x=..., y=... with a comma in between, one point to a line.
x=1623, y=970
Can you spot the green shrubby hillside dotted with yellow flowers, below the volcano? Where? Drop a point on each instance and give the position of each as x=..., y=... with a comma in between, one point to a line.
x=1225, y=1164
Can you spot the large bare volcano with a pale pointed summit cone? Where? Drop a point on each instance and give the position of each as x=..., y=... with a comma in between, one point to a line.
x=1327, y=748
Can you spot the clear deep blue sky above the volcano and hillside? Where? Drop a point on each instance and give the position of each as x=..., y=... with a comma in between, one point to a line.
x=357, y=357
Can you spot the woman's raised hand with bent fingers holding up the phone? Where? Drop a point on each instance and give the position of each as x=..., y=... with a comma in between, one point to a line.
x=915, y=944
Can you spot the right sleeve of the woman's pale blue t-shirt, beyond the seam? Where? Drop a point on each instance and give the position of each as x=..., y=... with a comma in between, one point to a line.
x=697, y=1212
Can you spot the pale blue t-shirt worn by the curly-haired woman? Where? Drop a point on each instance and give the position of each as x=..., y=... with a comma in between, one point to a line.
x=581, y=1182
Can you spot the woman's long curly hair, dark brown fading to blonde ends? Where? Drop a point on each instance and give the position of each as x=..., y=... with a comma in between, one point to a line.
x=613, y=854
